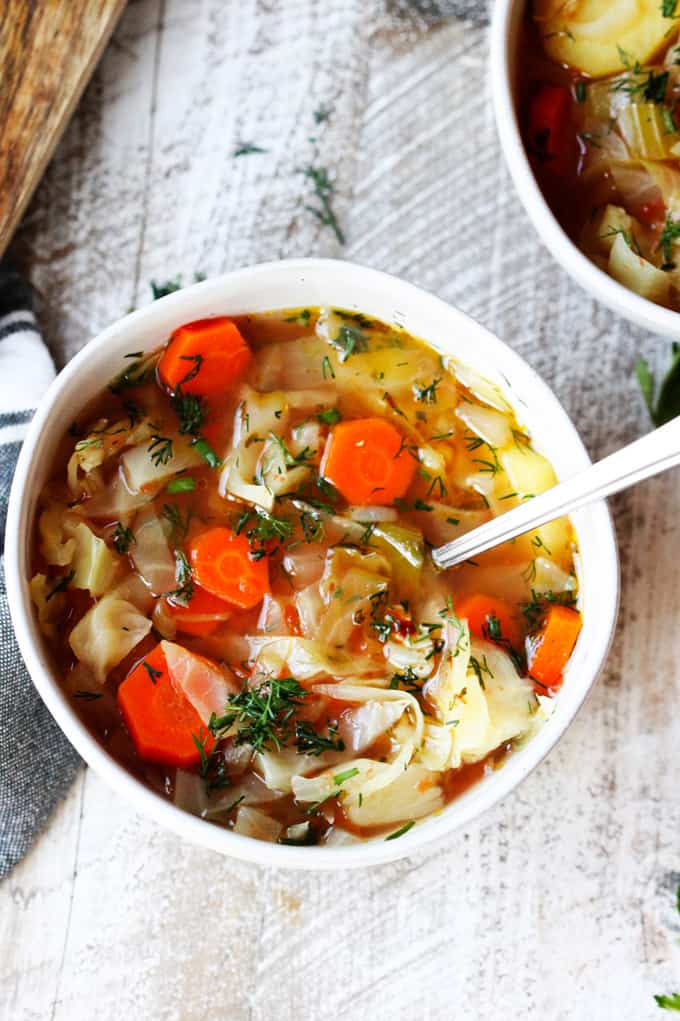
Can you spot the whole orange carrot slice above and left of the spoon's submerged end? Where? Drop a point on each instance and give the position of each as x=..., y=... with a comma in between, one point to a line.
x=367, y=462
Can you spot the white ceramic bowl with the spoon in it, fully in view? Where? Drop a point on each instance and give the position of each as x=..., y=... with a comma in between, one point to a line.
x=296, y=284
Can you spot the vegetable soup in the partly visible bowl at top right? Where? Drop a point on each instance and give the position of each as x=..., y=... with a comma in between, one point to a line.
x=599, y=92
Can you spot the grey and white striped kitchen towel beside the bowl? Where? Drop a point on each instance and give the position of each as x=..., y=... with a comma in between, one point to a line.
x=37, y=763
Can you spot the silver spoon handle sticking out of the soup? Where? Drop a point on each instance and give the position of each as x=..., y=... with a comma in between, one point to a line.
x=653, y=454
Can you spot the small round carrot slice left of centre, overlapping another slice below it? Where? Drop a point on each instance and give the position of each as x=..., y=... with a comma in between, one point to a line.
x=223, y=566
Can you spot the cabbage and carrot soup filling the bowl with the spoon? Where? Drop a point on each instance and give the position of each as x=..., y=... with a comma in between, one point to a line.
x=233, y=573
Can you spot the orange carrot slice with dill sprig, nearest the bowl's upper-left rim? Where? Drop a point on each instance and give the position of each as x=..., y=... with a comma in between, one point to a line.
x=206, y=358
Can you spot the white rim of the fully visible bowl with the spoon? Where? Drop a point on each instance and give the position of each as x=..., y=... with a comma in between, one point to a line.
x=459, y=813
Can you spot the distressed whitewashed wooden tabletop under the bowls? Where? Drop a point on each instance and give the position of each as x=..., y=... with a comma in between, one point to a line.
x=558, y=905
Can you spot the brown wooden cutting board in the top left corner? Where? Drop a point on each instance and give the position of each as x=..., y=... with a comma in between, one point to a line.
x=48, y=52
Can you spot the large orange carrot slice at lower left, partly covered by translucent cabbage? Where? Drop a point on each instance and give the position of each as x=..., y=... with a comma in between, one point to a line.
x=161, y=719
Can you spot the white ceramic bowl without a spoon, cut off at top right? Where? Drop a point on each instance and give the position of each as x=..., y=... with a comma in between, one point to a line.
x=508, y=16
